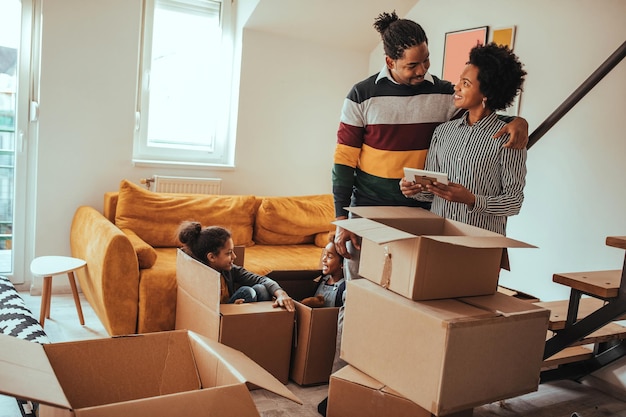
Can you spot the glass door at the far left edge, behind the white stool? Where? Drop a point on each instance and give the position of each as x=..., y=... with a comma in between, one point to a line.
x=17, y=21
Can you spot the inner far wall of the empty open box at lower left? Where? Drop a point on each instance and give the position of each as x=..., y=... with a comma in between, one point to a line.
x=125, y=367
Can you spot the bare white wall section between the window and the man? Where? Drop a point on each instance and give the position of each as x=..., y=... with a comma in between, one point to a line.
x=289, y=108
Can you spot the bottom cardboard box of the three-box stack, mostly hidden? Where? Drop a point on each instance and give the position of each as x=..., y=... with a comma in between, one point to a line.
x=352, y=393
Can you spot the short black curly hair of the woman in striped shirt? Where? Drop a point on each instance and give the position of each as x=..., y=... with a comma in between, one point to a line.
x=500, y=74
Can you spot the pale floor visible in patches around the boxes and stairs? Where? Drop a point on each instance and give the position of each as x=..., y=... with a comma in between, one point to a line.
x=557, y=399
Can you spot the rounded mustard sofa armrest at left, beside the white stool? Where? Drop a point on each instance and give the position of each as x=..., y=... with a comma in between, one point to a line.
x=110, y=281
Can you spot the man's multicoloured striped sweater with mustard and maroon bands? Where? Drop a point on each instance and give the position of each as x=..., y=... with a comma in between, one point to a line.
x=384, y=127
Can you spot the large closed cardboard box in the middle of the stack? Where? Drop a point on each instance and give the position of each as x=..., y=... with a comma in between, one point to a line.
x=445, y=355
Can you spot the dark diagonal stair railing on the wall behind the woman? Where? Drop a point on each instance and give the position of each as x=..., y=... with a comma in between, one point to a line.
x=580, y=92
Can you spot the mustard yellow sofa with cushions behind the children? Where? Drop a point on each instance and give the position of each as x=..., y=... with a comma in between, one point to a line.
x=130, y=248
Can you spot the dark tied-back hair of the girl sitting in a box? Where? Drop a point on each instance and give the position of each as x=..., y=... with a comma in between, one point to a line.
x=198, y=242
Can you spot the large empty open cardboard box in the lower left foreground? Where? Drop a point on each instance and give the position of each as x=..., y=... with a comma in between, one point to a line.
x=156, y=374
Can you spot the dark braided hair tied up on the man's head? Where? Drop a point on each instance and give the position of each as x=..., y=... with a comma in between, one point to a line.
x=398, y=34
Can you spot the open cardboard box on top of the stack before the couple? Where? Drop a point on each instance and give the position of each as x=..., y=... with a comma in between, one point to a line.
x=422, y=256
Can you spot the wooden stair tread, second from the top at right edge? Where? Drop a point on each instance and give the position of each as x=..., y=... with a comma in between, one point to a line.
x=603, y=284
